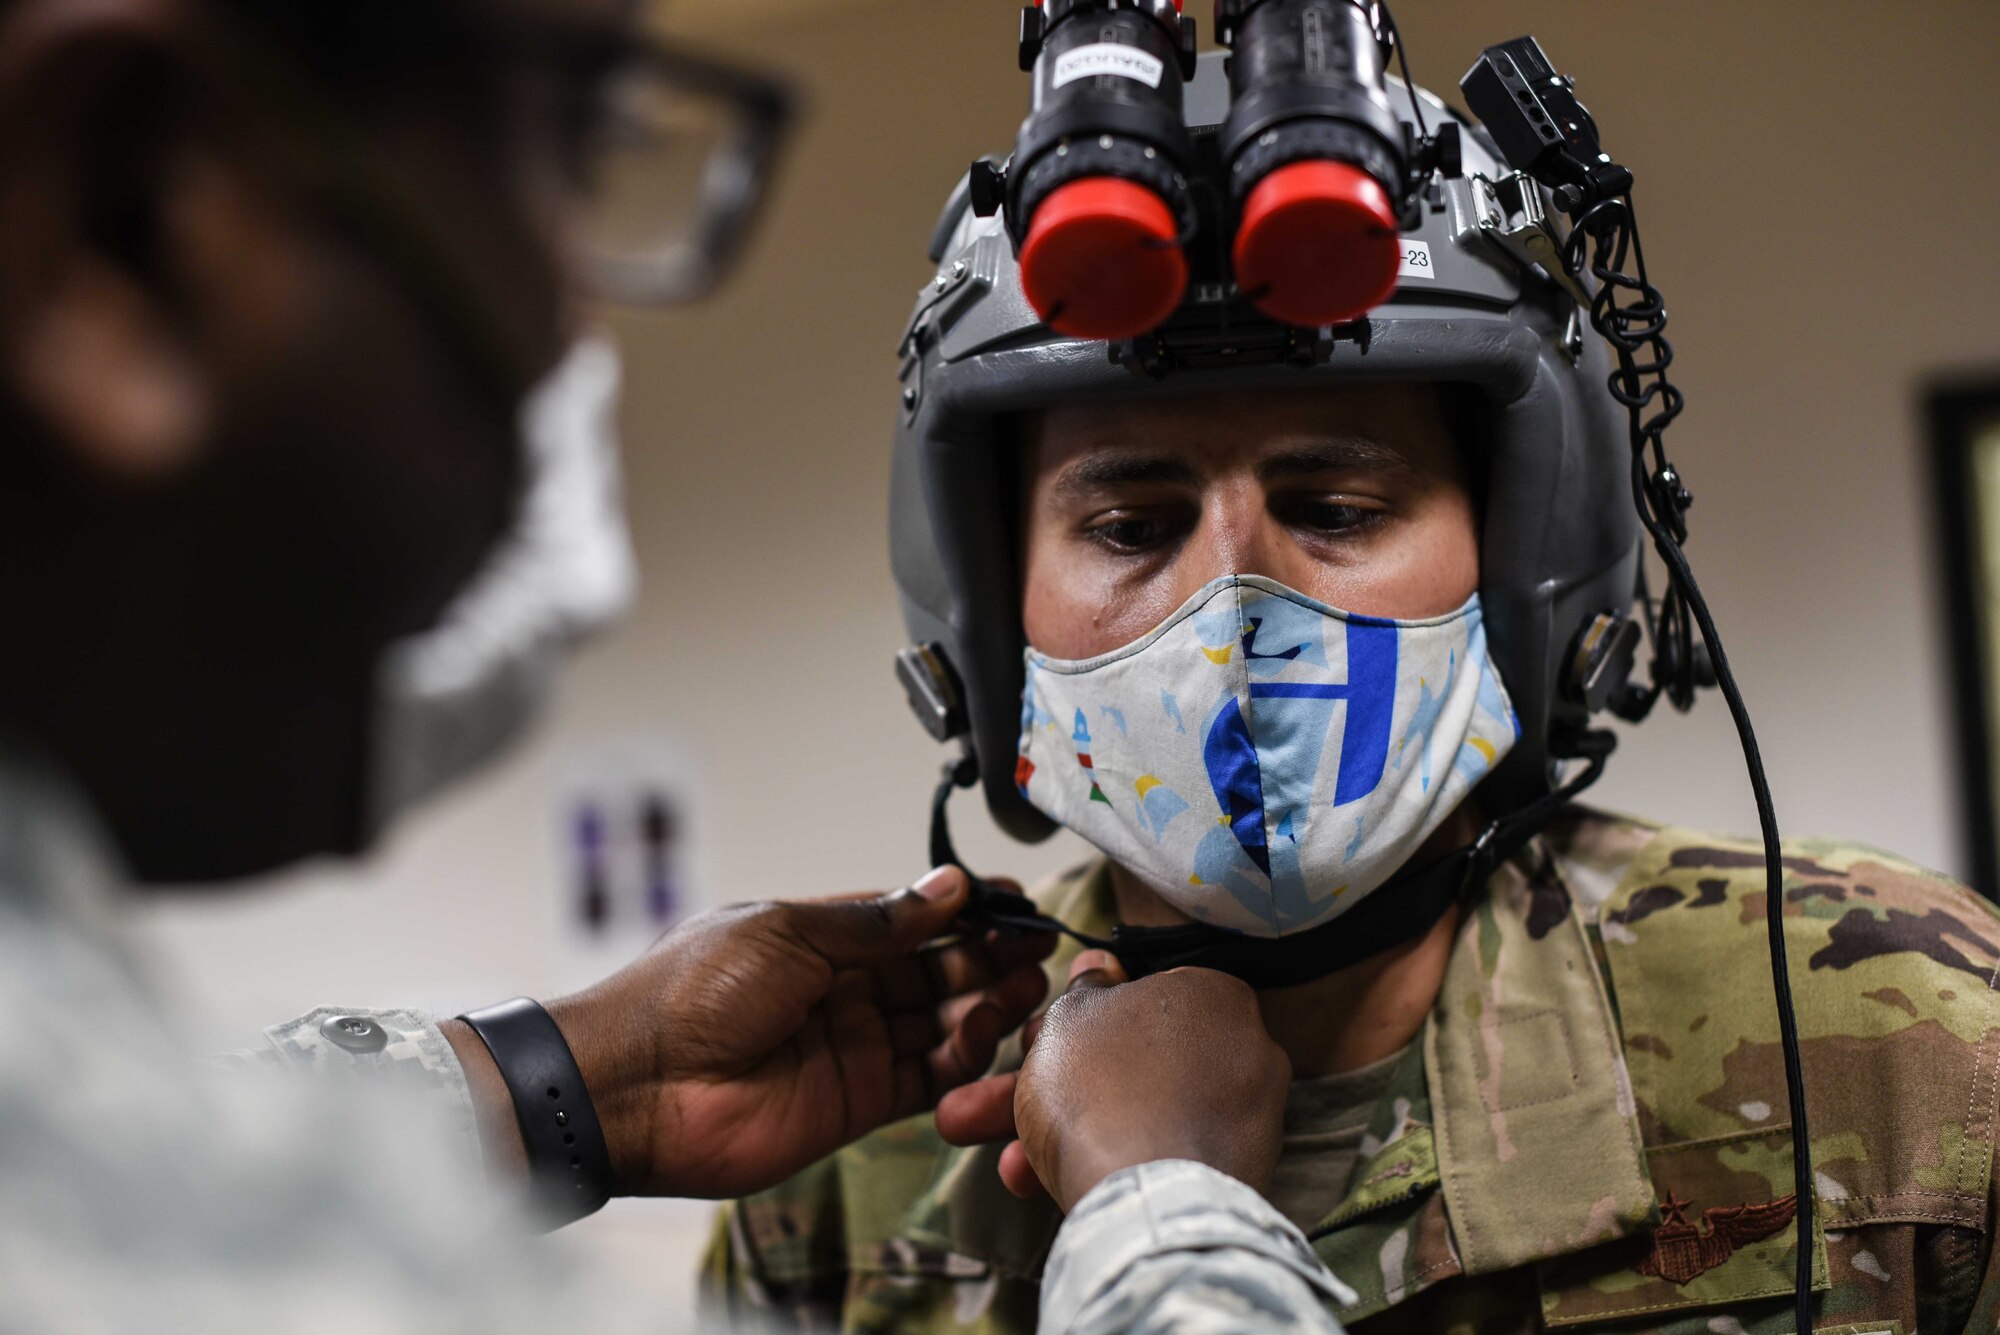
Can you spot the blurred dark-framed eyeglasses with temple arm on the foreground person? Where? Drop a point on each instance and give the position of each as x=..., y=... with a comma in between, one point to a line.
x=669, y=157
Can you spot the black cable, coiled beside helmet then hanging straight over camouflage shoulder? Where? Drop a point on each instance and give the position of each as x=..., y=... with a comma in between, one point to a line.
x=1631, y=317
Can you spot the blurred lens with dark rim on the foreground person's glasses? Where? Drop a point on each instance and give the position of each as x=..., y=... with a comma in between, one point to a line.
x=677, y=157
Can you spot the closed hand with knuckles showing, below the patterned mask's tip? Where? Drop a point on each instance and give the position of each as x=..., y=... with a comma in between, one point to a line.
x=1175, y=1066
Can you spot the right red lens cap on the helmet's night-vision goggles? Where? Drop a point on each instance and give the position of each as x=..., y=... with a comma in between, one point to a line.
x=1319, y=245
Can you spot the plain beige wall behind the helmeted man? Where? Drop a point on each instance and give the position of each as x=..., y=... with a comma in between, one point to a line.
x=1819, y=193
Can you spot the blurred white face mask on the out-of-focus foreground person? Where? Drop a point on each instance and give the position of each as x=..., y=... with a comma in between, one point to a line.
x=453, y=696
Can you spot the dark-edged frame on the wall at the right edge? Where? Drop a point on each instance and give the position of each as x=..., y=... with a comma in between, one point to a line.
x=1965, y=447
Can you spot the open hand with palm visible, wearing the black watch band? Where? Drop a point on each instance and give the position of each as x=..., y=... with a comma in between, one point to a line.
x=755, y=1040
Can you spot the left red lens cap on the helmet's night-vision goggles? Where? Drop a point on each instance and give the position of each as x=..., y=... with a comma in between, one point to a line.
x=1103, y=261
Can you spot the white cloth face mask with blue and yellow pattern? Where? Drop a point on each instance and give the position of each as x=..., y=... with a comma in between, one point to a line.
x=1263, y=760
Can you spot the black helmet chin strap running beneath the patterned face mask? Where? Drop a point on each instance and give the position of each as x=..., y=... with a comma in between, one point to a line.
x=1401, y=910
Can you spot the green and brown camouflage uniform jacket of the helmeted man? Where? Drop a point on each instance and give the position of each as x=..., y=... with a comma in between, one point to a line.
x=1591, y=1134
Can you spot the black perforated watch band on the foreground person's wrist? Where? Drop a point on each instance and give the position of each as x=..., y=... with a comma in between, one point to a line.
x=559, y=1124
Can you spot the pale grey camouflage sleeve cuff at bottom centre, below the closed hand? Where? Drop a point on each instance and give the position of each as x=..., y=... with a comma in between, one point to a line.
x=1179, y=1246
